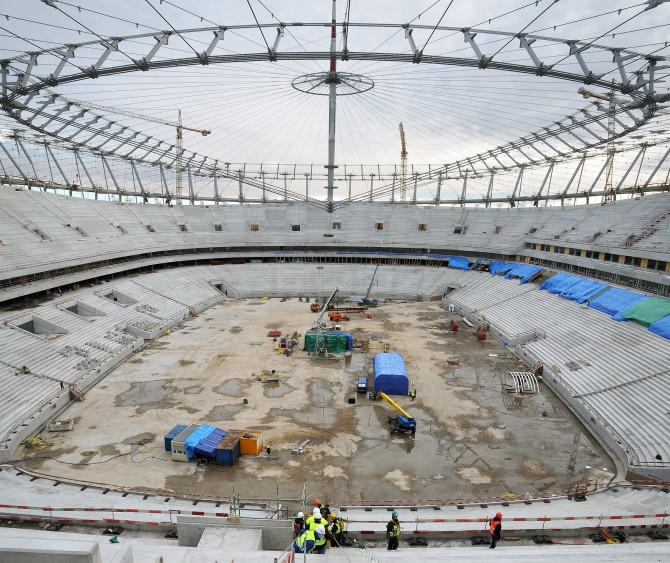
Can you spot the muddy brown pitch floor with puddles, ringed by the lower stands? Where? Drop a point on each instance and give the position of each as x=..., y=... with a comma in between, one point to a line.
x=471, y=440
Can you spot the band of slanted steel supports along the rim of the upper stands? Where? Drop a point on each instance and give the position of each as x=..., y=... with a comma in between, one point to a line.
x=26, y=174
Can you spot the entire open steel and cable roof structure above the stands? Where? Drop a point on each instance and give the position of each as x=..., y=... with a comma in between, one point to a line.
x=489, y=99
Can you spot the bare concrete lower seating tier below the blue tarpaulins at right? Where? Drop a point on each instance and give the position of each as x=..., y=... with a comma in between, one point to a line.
x=618, y=370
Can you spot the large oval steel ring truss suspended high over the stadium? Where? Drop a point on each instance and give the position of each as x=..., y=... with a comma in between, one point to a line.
x=26, y=97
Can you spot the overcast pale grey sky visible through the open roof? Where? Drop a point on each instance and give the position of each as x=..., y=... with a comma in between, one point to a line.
x=260, y=121
